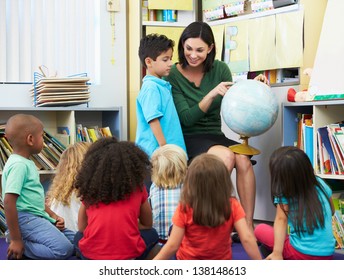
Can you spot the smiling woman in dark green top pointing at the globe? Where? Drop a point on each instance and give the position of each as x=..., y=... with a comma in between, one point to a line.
x=199, y=83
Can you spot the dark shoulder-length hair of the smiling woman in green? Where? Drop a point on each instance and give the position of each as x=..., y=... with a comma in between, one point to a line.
x=200, y=30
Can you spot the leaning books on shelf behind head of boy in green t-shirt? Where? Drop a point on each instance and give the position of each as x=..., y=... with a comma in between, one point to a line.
x=47, y=159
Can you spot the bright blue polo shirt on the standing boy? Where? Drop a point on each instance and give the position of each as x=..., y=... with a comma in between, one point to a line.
x=155, y=102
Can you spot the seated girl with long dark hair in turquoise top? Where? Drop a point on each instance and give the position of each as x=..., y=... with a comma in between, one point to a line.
x=304, y=204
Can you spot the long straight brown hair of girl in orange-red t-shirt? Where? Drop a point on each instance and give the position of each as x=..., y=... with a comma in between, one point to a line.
x=207, y=190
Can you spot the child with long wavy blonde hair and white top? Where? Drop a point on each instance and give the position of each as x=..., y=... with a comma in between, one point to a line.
x=61, y=196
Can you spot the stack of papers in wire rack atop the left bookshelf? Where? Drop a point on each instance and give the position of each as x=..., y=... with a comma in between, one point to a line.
x=60, y=91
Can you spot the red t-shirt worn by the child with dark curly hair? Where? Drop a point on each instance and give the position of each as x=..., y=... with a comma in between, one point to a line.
x=112, y=232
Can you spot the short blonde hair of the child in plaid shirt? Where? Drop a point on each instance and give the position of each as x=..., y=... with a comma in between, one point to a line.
x=169, y=165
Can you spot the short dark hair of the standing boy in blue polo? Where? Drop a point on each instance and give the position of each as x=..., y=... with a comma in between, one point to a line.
x=153, y=45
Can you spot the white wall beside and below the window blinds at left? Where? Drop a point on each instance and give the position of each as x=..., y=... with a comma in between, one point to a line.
x=112, y=91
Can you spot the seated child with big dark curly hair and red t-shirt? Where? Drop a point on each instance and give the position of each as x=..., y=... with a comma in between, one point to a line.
x=115, y=218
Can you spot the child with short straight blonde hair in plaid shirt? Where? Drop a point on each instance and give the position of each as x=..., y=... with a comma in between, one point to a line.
x=169, y=165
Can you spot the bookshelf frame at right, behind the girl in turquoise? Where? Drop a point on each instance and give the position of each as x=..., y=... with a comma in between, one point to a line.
x=324, y=113
